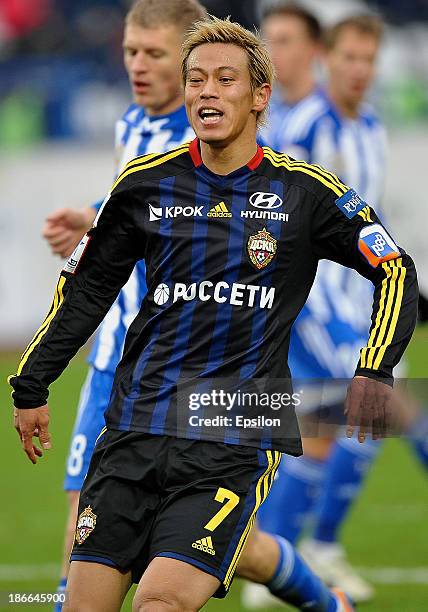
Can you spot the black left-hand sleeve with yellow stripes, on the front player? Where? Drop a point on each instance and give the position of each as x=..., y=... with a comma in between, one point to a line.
x=87, y=287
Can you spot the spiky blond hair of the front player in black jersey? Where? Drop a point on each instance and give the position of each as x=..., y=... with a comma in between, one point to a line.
x=214, y=30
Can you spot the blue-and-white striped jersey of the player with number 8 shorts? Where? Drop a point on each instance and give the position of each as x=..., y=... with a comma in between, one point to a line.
x=136, y=134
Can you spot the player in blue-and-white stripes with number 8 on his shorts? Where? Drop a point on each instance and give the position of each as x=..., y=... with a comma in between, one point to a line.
x=156, y=122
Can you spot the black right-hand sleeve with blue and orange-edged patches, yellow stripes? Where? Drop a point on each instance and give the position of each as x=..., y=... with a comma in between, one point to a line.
x=346, y=230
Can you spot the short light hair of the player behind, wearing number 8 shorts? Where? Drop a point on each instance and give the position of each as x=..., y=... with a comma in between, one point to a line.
x=157, y=13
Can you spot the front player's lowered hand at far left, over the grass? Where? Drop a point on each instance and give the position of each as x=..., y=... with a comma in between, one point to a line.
x=33, y=423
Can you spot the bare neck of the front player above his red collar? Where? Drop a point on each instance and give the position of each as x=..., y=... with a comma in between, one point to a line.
x=223, y=160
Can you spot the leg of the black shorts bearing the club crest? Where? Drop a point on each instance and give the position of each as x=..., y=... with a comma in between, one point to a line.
x=118, y=503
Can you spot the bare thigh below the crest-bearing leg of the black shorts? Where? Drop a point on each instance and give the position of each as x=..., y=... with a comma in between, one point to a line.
x=93, y=587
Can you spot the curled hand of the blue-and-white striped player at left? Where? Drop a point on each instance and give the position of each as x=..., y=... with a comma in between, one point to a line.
x=64, y=228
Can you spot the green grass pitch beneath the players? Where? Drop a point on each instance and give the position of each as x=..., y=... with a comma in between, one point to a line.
x=388, y=527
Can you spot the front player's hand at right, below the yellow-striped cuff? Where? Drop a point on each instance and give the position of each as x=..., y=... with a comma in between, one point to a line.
x=369, y=407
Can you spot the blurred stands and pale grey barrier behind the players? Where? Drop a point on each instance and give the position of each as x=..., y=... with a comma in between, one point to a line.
x=62, y=87
